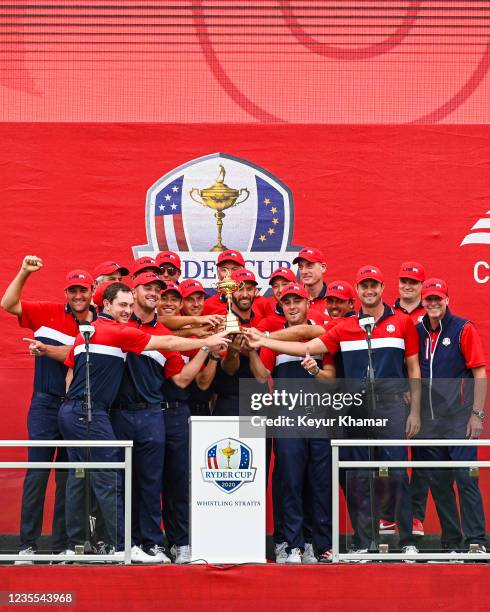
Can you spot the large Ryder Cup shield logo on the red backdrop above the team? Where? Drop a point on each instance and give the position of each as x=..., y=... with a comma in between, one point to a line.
x=220, y=202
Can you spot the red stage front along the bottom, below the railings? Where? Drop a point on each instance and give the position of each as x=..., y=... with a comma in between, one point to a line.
x=266, y=587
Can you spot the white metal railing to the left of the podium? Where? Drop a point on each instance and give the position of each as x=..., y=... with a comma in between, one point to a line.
x=126, y=465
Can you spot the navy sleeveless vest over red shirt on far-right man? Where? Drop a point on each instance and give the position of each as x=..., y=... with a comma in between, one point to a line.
x=449, y=387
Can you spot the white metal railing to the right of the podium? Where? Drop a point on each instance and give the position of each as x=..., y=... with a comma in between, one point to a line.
x=385, y=556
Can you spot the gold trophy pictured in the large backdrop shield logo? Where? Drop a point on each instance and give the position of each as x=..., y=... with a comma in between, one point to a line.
x=219, y=197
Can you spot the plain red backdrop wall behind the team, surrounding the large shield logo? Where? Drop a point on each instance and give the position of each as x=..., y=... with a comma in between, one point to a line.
x=74, y=194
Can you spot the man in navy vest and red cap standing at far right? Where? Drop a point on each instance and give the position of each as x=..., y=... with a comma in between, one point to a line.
x=452, y=359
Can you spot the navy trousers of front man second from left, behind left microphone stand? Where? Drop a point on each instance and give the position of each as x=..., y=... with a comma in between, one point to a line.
x=105, y=484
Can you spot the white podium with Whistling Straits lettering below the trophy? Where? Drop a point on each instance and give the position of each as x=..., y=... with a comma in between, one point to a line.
x=227, y=492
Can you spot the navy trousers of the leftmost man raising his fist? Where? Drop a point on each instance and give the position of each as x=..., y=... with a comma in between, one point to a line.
x=42, y=424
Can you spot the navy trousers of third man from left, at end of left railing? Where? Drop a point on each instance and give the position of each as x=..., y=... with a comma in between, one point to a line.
x=146, y=427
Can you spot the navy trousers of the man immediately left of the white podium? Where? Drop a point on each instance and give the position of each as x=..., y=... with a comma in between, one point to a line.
x=175, y=482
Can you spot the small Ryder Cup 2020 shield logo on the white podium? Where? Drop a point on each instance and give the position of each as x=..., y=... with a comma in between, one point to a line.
x=228, y=464
